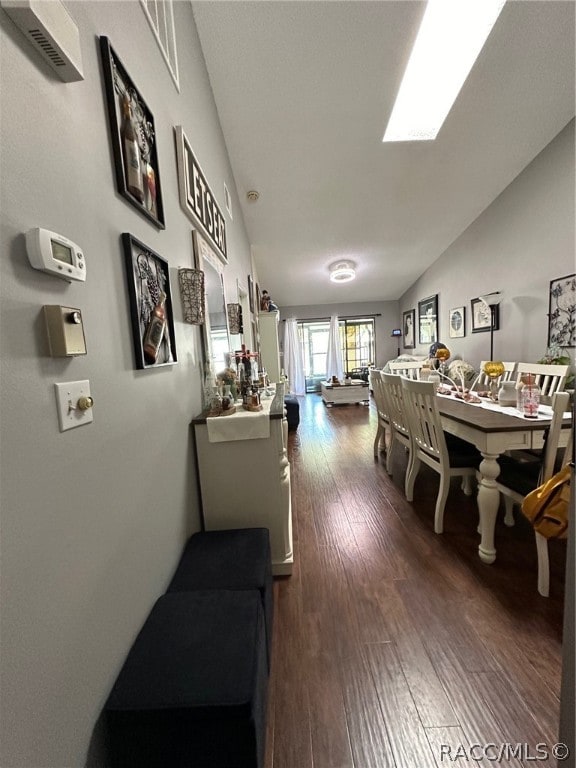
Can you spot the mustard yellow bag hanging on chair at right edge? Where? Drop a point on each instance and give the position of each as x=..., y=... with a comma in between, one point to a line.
x=547, y=507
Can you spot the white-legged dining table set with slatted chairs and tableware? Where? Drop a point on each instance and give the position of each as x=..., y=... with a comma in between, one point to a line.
x=504, y=431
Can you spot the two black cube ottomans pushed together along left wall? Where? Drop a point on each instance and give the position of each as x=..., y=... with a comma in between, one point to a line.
x=192, y=691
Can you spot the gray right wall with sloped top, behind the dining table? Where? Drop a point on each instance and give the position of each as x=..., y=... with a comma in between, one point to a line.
x=521, y=242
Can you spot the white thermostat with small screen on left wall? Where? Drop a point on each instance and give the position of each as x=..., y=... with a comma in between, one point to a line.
x=55, y=254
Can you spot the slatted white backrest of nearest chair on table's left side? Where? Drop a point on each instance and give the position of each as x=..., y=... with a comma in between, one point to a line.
x=420, y=404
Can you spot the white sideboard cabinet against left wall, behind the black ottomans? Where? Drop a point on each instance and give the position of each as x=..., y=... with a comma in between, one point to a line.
x=245, y=483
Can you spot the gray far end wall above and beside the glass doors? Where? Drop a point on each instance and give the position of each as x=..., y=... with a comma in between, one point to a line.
x=386, y=319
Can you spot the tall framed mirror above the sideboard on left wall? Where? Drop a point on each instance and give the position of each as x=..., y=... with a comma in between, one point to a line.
x=216, y=339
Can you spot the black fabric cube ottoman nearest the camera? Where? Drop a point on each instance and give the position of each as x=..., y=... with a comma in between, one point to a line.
x=192, y=690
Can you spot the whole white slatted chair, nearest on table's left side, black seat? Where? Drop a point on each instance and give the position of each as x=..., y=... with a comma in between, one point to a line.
x=453, y=458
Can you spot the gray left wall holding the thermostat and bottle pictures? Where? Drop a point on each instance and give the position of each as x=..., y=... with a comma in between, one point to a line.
x=94, y=519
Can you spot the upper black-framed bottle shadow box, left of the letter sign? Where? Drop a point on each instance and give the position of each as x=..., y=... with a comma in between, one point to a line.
x=117, y=83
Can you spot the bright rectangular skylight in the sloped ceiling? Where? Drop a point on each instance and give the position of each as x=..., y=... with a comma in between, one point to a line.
x=451, y=36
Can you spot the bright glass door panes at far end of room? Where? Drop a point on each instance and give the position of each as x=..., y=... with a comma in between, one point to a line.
x=358, y=347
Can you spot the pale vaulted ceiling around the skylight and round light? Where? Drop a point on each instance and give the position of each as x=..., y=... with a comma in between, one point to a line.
x=304, y=91
